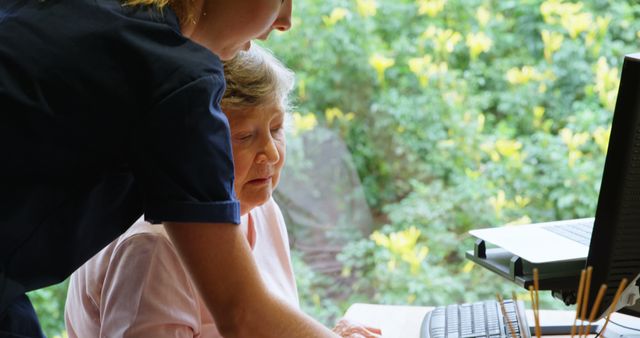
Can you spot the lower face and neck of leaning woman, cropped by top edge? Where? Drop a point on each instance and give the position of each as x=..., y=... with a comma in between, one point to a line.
x=239, y=22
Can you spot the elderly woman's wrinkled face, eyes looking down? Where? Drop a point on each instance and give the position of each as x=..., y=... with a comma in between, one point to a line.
x=257, y=137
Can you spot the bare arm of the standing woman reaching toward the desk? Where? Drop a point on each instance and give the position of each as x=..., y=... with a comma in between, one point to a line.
x=220, y=262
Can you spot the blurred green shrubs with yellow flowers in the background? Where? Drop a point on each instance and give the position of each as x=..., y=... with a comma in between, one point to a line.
x=418, y=120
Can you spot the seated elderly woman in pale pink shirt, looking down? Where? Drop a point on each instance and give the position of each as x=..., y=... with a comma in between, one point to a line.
x=125, y=290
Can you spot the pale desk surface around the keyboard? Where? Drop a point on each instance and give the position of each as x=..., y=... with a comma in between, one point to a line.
x=398, y=321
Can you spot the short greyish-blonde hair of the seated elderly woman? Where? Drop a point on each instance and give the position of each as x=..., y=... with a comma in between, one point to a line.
x=255, y=77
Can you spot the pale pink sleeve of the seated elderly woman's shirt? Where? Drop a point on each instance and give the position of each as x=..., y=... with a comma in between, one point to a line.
x=147, y=292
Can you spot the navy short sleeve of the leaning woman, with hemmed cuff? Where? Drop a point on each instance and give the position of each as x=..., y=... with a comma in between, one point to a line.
x=182, y=157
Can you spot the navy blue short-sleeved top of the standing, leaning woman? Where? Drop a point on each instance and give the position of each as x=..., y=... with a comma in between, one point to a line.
x=106, y=112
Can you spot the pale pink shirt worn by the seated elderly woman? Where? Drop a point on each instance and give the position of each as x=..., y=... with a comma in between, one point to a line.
x=137, y=286
